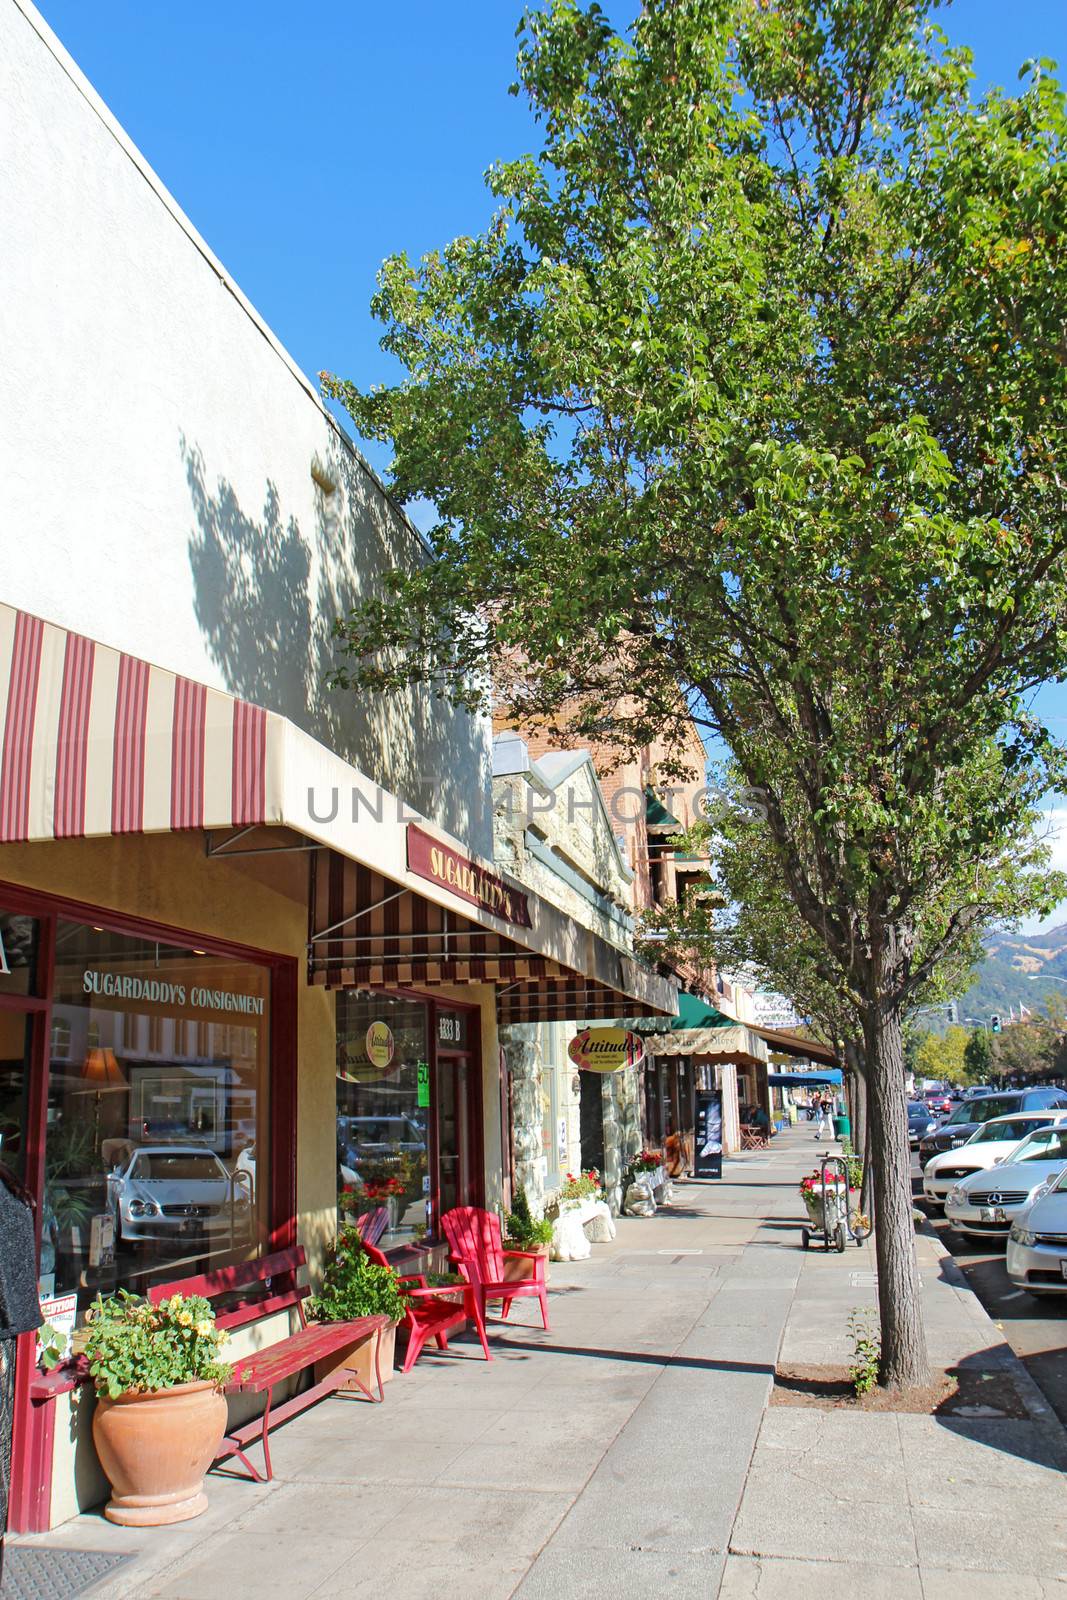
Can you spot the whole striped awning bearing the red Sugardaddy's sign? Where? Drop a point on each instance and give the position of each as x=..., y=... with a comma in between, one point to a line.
x=100, y=743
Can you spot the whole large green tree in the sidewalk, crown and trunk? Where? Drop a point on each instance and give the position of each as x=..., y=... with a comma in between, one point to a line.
x=748, y=406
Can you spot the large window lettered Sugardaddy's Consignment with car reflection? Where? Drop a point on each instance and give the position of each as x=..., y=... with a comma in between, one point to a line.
x=158, y=1113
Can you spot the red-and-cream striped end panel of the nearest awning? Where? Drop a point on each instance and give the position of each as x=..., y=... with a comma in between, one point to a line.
x=97, y=742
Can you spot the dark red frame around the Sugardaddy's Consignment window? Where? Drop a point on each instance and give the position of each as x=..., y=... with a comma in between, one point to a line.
x=31, y=1463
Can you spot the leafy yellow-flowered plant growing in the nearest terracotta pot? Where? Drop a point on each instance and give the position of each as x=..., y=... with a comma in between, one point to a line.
x=134, y=1346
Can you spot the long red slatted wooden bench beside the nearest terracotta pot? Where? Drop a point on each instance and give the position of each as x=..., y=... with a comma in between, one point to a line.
x=252, y=1292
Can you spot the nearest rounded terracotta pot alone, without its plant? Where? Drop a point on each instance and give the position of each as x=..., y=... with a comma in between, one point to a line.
x=156, y=1449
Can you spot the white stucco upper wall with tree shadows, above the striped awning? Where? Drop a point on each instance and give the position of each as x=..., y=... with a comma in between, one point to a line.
x=158, y=449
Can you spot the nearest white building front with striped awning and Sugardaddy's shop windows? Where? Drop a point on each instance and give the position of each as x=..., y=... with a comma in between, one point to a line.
x=254, y=948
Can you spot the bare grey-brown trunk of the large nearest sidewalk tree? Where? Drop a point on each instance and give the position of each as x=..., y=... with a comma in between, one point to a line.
x=905, y=1361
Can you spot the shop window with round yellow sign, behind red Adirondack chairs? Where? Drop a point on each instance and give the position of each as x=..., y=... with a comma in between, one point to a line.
x=383, y=1111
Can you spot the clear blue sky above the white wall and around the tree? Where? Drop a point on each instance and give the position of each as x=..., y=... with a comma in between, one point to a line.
x=306, y=143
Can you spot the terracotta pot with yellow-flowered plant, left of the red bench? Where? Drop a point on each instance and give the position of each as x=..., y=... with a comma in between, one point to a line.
x=161, y=1412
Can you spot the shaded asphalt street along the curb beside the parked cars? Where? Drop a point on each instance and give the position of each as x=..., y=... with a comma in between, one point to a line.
x=1037, y=1332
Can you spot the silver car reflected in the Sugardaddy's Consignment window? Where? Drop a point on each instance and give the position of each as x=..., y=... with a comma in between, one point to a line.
x=169, y=1193
